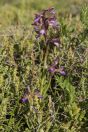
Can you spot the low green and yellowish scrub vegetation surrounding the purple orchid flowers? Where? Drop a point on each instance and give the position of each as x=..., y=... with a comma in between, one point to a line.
x=65, y=104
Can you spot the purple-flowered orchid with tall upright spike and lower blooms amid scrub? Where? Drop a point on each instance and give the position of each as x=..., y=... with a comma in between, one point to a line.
x=46, y=26
